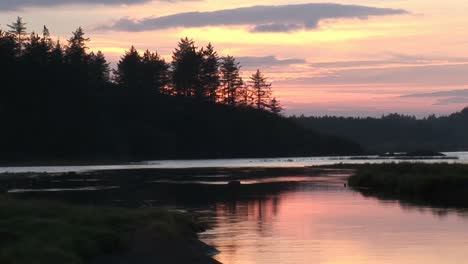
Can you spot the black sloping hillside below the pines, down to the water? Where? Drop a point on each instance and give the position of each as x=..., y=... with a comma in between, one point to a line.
x=126, y=127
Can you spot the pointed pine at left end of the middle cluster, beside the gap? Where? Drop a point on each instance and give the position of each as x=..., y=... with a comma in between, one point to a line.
x=128, y=72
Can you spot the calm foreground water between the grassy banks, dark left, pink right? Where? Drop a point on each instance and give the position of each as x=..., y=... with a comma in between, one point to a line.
x=293, y=217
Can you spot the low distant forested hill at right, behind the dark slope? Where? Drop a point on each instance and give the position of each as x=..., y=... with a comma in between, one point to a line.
x=394, y=133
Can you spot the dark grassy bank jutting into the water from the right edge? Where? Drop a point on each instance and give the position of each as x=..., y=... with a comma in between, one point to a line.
x=440, y=184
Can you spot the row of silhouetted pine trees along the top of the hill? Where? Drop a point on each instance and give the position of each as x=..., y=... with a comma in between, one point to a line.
x=198, y=73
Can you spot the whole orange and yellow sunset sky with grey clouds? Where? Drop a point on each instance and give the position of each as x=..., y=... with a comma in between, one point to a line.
x=344, y=57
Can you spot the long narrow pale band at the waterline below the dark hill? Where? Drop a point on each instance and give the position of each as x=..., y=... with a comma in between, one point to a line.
x=60, y=166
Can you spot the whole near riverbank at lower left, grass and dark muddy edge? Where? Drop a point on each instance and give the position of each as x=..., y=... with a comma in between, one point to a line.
x=53, y=232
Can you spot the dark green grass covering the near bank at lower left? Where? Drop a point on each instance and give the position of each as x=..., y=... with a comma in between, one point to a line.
x=51, y=232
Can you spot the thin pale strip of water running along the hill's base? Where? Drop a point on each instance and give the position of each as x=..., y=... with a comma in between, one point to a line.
x=228, y=163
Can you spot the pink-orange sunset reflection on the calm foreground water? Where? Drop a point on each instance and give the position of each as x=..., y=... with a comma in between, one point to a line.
x=333, y=225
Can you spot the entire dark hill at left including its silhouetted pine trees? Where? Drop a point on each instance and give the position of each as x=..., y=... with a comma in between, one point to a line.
x=58, y=101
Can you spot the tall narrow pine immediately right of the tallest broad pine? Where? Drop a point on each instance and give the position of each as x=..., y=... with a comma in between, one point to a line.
x=209, y=73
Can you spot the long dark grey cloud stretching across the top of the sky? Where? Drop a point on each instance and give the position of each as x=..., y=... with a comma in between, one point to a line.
x=282, y=18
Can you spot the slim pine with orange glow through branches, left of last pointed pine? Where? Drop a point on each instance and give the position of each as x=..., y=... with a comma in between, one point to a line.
x=231, y=81
